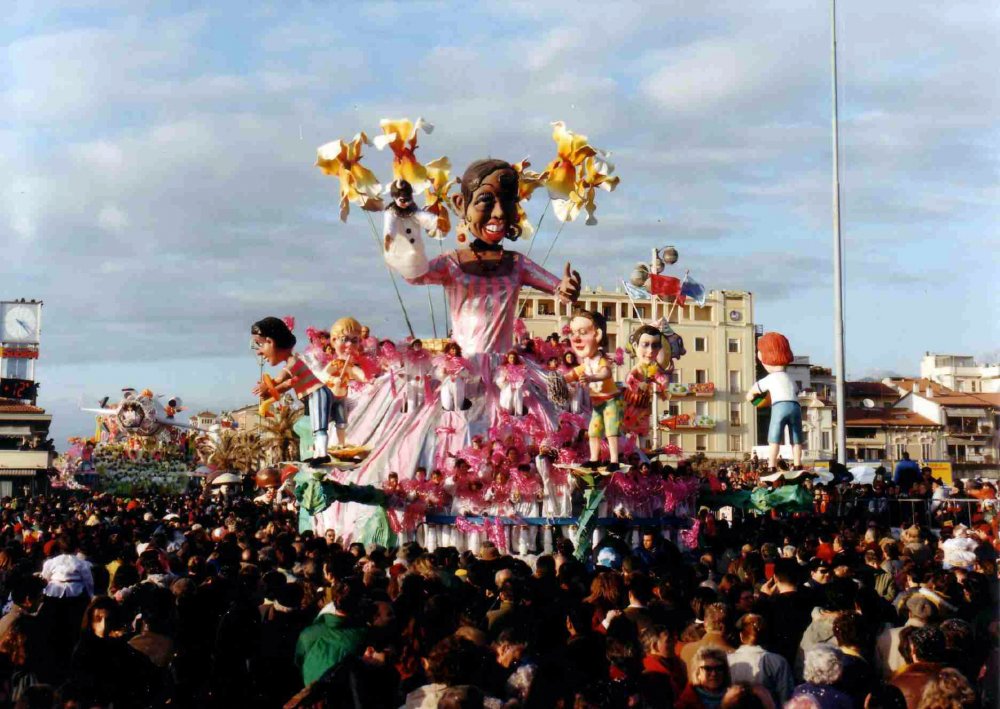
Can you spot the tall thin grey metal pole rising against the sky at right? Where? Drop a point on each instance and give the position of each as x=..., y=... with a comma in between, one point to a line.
x=838, y=276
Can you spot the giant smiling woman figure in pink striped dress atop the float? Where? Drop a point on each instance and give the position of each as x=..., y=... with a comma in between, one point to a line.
x=482, y=282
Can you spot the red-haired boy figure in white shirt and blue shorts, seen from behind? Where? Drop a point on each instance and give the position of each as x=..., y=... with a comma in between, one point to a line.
x=775, y=354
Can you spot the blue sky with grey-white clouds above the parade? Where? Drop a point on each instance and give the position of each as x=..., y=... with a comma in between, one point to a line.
x=160, y=192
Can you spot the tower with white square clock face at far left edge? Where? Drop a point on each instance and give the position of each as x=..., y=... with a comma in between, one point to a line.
x=20, y=329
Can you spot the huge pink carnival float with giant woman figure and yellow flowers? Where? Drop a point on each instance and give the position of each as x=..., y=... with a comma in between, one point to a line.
x=486, y=433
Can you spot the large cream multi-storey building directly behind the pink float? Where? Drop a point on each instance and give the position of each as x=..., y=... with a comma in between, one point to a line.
x=706, y=405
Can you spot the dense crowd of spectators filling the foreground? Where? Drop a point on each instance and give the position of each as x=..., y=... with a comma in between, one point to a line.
x=190, y=601
